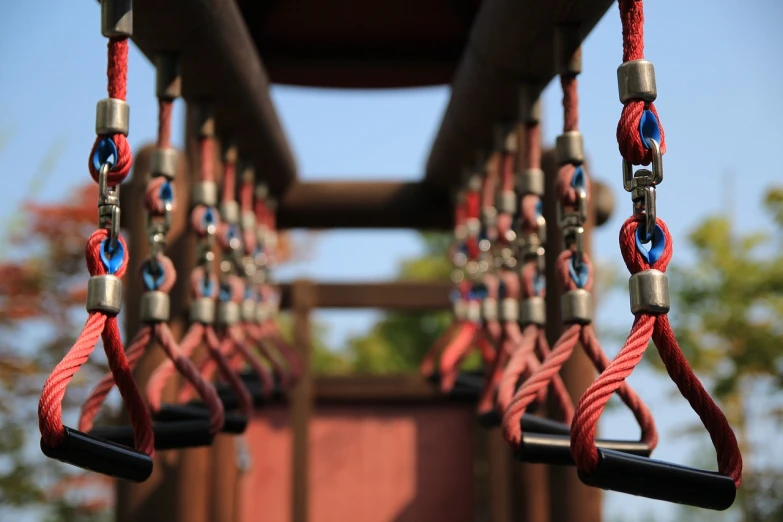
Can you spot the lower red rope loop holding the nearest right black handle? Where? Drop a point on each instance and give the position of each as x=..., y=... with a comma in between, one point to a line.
x=645, y=327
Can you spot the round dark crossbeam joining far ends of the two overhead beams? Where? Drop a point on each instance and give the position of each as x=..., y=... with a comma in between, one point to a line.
x=364, y=204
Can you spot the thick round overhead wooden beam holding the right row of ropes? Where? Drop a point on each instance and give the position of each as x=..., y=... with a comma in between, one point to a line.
x=511, y=42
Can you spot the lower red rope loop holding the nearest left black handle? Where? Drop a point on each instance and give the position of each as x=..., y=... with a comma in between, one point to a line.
x=98, y=325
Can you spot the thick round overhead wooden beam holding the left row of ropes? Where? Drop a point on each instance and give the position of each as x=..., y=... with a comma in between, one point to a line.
x=220, y=65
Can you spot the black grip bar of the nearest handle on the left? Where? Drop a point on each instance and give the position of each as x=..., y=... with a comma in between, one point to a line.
x=101, y=456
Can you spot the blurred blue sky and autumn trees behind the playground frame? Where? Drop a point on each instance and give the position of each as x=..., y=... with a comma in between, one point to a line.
x=719, y=78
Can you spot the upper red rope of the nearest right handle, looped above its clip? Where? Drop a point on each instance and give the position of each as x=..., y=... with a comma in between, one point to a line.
x=628, y=138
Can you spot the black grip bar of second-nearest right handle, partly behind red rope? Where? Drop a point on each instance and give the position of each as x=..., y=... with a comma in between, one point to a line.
x=556, y=449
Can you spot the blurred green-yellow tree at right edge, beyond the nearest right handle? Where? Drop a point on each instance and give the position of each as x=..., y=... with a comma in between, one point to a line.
x=729, y=307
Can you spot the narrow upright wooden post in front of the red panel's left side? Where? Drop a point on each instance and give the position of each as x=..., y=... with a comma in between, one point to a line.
x=303, y=299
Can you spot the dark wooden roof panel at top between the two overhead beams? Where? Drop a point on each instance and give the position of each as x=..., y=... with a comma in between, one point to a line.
x=349, y=44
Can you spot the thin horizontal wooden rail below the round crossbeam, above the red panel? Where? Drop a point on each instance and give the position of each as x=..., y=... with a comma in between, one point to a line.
x=400, y=295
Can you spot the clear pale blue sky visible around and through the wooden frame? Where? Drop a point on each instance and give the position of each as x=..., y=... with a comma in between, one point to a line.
x=719, y=82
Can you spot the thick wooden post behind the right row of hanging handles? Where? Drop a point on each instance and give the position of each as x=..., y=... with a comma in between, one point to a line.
x=571, y=501
